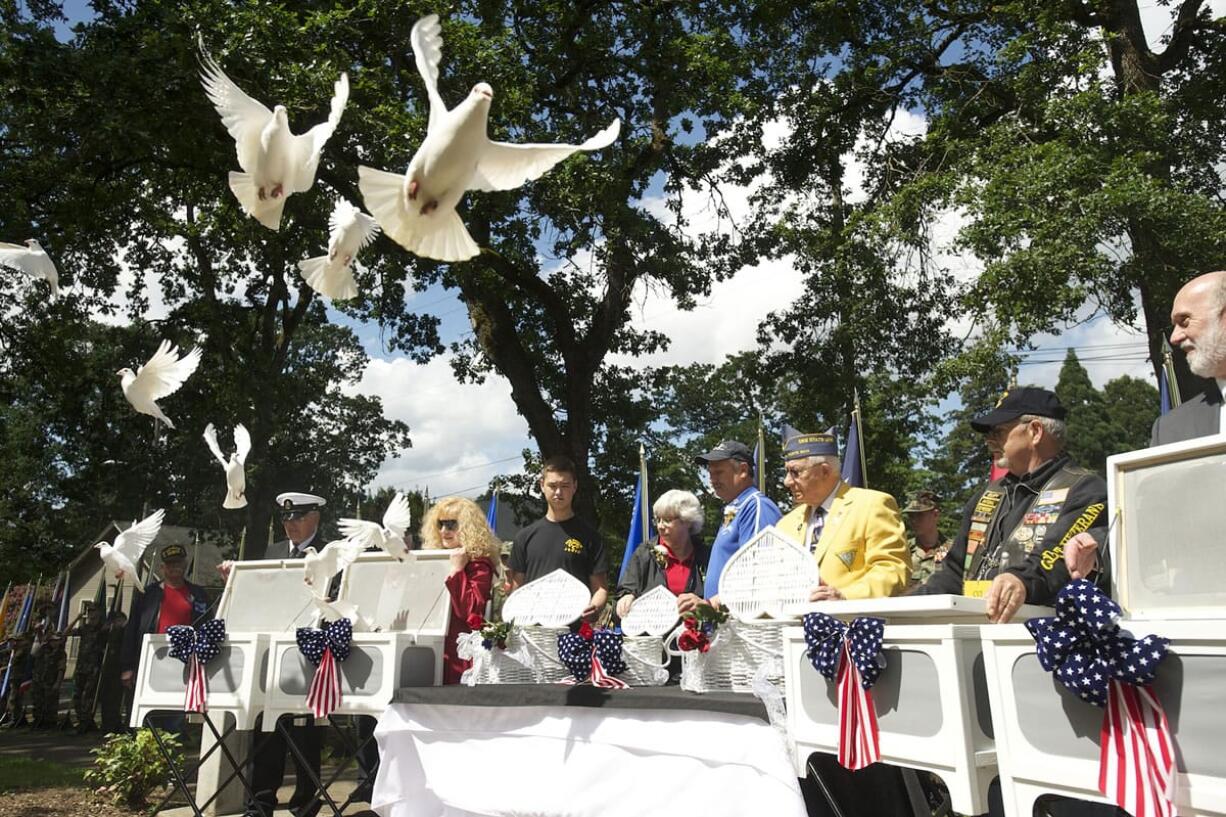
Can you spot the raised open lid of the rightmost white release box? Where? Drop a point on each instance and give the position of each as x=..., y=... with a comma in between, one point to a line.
x=1168, y=508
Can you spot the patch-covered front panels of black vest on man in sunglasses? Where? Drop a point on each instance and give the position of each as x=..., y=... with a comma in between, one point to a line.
x=983, y=562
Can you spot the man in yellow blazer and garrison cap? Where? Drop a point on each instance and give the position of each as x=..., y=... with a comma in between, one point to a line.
x=855, y=534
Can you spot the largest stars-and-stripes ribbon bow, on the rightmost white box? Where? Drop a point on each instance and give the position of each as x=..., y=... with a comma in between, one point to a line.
x=1084, y=647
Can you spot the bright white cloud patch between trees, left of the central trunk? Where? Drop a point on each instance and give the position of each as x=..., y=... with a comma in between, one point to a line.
x=460, y=434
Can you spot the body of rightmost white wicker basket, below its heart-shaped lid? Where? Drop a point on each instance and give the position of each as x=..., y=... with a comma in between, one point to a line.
x=741, y=652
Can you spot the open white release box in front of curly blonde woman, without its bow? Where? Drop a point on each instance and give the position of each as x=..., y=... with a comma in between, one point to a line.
x=408, y=607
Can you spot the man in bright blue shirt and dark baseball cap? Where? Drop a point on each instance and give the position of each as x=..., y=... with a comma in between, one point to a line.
x=747, y=511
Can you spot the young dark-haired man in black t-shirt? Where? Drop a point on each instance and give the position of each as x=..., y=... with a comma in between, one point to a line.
x=561, y=540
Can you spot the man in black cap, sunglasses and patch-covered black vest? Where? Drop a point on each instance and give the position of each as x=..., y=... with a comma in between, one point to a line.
x=1011, y=547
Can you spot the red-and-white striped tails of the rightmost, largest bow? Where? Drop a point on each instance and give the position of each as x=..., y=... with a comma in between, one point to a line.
x=1137, y=761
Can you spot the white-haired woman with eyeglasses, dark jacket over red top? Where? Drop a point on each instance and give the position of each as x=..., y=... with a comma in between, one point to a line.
x=677, y=561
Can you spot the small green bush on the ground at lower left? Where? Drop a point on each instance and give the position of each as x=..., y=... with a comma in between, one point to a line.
x=128, y=769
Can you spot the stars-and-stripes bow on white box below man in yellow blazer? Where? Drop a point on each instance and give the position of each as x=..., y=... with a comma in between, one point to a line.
x=851, y=656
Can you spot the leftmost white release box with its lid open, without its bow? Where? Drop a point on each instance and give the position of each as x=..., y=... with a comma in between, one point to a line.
x=261, y=598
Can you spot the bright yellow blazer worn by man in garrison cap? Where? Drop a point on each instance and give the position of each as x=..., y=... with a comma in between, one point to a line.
x=864, y=547
